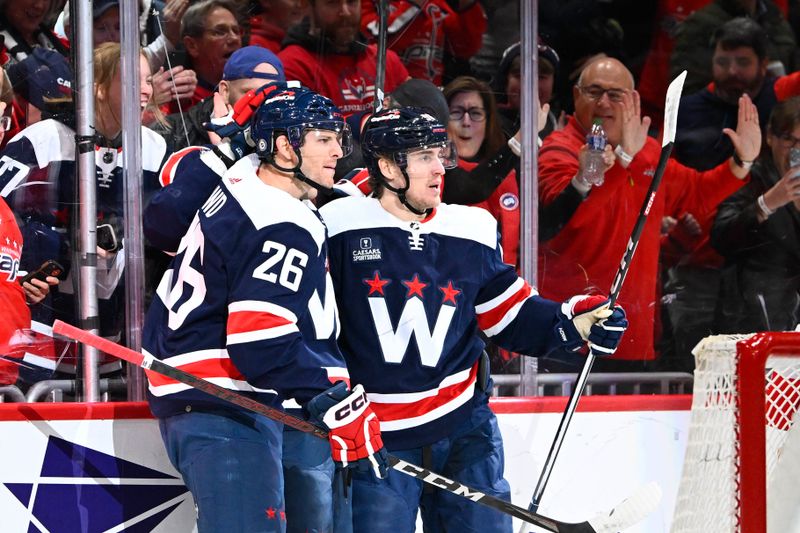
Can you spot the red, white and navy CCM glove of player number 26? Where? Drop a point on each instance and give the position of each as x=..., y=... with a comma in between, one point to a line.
x=355, y=434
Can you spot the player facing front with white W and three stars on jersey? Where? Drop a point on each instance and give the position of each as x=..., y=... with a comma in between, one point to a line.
x=411, y=267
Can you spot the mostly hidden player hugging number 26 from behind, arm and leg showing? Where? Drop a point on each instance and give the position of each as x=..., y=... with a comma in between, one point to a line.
x=190, y=176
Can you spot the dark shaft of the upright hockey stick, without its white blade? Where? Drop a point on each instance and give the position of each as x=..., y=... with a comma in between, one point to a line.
x=616, y=286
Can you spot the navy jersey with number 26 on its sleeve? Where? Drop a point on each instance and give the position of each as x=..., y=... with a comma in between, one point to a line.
x=247, y=302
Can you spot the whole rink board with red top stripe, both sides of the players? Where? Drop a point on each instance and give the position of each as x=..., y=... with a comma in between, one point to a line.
x=102, y=467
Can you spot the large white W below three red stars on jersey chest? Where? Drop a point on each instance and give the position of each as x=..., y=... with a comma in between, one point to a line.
x=414, y=319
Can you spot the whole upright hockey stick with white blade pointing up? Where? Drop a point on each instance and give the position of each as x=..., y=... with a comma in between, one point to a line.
x=670, y=121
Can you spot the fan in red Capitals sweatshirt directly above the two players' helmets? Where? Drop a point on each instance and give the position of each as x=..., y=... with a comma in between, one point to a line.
x=326, y=54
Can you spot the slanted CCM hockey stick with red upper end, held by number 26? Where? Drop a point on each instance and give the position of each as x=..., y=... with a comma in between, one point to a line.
x=640, y=505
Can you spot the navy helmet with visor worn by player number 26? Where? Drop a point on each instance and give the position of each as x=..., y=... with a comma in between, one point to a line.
x=292, y=111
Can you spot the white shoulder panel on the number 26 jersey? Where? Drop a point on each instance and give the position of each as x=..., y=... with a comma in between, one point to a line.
x=266, y=205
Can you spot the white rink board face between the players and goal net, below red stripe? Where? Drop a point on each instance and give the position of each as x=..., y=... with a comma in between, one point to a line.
x=605, y=458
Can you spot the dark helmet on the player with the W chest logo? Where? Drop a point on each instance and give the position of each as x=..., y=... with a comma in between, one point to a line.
x=394, y=133
